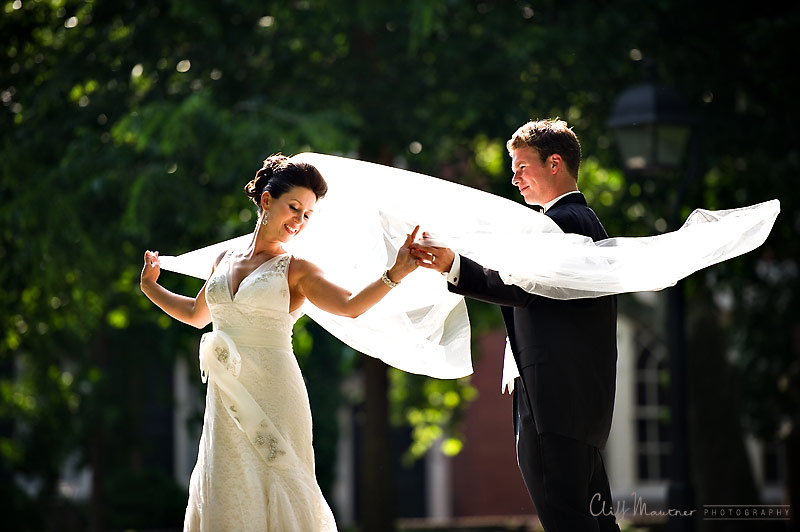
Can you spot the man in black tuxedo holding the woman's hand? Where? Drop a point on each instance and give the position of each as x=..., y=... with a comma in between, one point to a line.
x=565, y=351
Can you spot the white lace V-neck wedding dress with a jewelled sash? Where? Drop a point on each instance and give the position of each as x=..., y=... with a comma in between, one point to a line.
x=255, y=465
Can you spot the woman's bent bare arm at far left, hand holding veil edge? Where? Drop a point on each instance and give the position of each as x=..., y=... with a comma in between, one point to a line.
x=190, y=310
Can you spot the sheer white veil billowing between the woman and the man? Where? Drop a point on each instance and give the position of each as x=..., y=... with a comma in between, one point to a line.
x=420, y=327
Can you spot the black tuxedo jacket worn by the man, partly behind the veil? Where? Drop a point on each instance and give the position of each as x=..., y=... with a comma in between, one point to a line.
x=566, y=351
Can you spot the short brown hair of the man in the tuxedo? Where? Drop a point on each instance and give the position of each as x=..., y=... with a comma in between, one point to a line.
x=548, y=137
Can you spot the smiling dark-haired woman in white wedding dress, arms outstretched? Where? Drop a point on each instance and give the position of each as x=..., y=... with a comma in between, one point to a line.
x=255, y=466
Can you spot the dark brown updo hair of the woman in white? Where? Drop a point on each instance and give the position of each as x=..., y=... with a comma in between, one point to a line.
x=278, y=175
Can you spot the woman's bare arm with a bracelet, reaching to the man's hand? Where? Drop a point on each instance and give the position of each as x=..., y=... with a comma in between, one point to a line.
x=310, y=282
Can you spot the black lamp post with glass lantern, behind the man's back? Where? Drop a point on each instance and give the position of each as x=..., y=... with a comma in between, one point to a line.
x=653, y=130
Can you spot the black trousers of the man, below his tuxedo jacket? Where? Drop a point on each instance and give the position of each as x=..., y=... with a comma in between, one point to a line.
x=566, y=478
